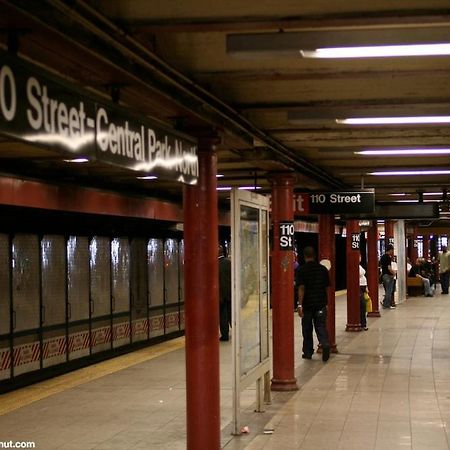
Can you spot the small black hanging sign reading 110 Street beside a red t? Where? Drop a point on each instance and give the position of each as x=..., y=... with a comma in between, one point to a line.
x=348, y=202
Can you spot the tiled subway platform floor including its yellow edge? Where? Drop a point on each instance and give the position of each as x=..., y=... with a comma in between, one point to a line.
x=387, y=388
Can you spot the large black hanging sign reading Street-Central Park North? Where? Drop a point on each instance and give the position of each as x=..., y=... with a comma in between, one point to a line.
x=38, y=108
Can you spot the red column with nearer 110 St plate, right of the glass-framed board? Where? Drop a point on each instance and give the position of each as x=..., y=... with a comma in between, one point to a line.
x=282, y=287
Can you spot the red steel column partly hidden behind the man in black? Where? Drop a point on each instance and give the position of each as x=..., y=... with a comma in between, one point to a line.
x=327, y=250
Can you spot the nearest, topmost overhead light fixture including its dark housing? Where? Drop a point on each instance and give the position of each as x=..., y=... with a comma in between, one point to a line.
x=344, y=43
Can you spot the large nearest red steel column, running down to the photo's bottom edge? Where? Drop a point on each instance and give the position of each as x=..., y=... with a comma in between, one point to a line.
x=202, y=304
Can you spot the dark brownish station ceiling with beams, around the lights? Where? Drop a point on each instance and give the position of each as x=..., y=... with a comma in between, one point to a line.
x=170, y=60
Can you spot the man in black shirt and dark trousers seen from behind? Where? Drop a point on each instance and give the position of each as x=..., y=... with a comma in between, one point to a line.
x=313, y=282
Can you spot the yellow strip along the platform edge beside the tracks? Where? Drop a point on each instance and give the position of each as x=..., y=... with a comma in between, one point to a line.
x=17, y=399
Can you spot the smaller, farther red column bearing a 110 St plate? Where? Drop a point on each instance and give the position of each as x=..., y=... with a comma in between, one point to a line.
x=353, y=252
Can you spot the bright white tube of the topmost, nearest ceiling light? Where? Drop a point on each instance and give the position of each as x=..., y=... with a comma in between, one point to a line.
x=378, y=51
